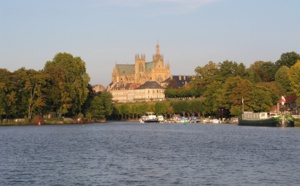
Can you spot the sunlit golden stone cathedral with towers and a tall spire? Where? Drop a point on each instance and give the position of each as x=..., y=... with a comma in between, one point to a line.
x=142, y=71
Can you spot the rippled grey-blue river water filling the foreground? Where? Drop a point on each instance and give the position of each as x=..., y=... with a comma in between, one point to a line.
x=149, y=154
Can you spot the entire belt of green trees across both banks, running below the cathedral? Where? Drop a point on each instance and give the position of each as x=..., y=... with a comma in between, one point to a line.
x=218, y=89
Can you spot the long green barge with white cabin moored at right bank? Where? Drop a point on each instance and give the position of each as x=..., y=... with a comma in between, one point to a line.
x=264, y=119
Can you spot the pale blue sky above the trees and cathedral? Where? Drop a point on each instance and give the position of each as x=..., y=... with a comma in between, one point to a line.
x=107, y=32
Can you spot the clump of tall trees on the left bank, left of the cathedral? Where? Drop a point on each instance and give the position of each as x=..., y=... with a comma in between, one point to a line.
x=61, y=87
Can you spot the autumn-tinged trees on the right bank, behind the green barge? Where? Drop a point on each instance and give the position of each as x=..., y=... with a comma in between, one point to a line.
x=225, y=85
